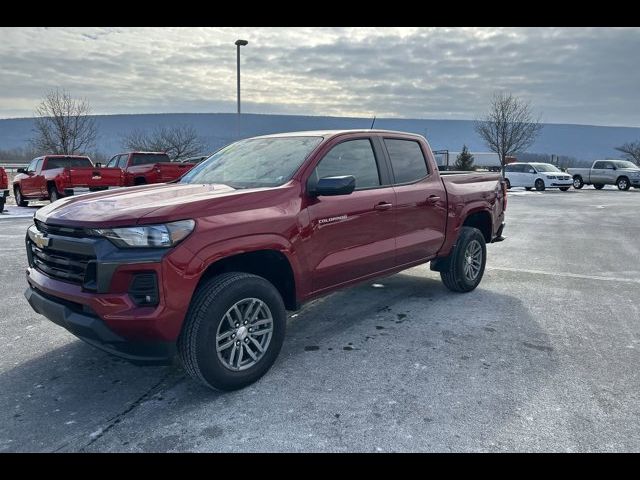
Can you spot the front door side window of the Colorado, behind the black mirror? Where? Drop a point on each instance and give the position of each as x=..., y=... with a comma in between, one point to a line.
x=353, y=157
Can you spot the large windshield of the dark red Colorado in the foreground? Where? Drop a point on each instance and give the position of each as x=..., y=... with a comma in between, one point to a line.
x=254, y=163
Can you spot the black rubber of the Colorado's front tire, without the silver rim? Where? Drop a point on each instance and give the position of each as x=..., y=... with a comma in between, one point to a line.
x=209, y=306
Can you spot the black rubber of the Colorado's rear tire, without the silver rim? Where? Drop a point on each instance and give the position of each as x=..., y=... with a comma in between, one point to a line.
x=453, y=275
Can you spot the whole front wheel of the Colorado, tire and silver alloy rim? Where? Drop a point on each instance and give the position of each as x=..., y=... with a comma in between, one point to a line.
x=233, y=331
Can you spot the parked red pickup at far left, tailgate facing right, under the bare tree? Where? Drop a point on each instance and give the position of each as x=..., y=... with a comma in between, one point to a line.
x=54, y=176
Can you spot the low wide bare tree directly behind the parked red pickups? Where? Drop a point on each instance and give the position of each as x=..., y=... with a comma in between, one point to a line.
x=178, y=142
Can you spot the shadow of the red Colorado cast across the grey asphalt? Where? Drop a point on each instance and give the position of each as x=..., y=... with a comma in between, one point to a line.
x=441, y=360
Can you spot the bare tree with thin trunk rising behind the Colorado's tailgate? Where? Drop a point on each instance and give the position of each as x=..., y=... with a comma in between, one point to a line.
x=509, y=127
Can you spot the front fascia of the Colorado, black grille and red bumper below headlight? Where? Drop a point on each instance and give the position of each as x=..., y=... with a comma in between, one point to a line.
x=103, y=291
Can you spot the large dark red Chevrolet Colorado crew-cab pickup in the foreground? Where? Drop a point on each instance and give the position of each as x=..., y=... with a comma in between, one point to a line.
x=205, y=267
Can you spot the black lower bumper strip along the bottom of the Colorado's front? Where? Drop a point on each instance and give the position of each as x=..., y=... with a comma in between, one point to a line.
x=87, y=326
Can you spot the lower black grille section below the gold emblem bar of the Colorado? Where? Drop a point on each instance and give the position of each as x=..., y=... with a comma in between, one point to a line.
x=70, y=267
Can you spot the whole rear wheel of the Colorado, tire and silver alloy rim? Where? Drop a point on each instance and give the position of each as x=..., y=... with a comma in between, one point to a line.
x=464, y=268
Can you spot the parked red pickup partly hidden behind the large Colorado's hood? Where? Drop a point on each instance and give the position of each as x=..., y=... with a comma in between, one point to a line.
x=143, y=168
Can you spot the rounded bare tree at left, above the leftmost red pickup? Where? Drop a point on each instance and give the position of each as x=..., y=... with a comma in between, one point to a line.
x=63, y=125
